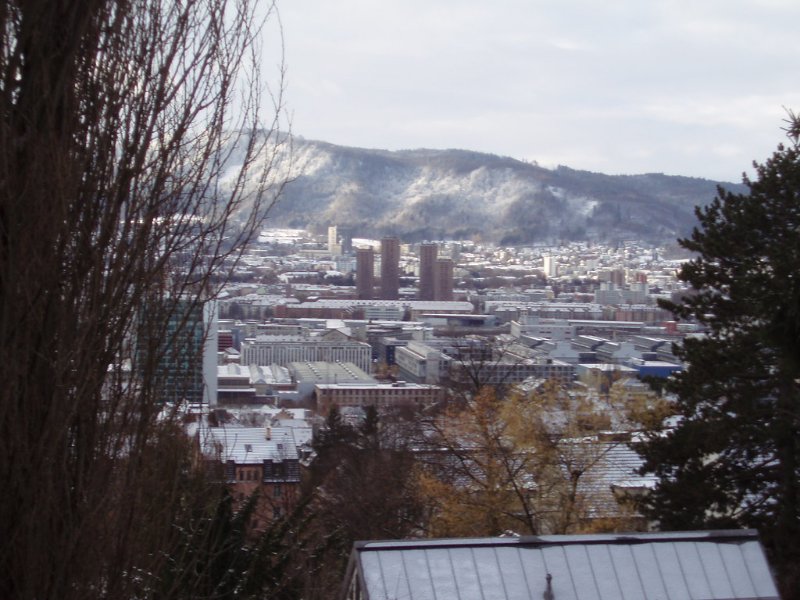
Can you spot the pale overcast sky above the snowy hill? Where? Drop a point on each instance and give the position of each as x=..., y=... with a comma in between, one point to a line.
x=628, y=86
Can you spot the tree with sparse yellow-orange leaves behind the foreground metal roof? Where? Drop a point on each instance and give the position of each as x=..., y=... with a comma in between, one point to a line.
x=535, y=463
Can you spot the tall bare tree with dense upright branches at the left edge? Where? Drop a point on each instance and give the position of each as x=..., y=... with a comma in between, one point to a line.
x=134, y=167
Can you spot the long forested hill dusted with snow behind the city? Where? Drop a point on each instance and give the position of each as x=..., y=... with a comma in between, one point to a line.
x=437, y=194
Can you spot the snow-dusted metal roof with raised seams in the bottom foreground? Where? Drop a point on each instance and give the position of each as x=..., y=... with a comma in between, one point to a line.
x=703, y=565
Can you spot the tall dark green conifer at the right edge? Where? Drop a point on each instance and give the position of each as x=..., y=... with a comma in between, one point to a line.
x=733, y=459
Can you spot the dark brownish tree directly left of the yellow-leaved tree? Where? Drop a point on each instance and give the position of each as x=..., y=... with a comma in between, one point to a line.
x=360, y=486
